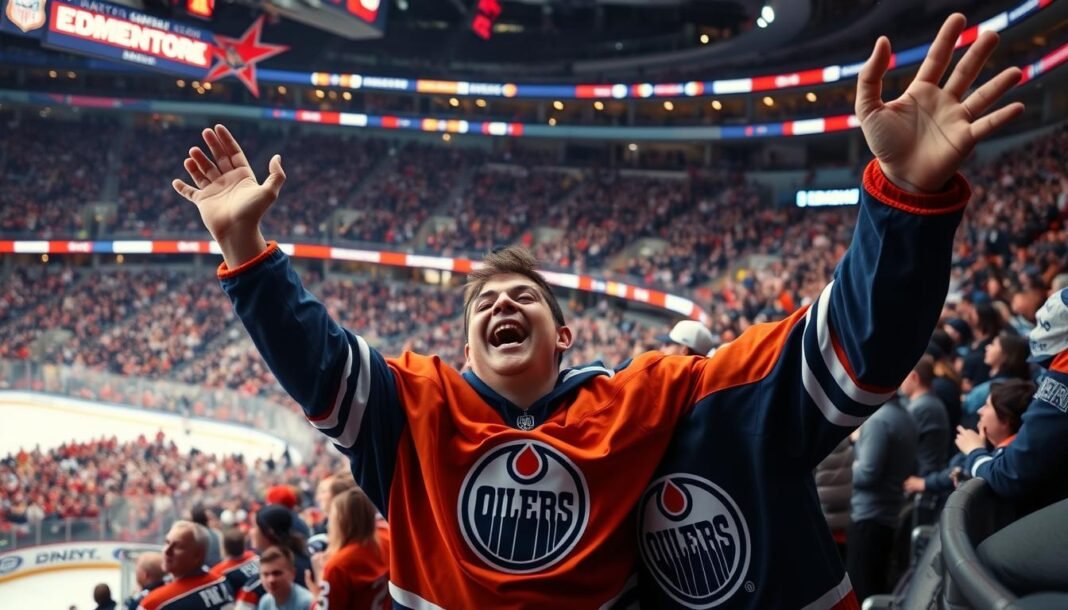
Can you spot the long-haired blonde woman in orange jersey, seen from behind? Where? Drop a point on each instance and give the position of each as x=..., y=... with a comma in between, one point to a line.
x=355, y=568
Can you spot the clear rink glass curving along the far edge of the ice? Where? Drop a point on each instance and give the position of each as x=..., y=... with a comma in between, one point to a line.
x=219, y=404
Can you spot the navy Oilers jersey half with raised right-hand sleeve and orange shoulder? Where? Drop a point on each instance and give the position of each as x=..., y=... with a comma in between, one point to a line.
x=745, y=530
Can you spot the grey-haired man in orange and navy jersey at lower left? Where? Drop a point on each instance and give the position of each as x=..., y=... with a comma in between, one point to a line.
x=192, y=587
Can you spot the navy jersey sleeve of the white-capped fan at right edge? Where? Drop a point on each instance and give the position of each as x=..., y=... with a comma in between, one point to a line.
x=1036, y=460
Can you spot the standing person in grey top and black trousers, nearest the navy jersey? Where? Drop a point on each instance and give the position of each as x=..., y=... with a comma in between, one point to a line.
x=885, y=457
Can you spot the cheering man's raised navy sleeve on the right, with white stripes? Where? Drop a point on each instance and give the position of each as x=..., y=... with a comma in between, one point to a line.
x=871, y=326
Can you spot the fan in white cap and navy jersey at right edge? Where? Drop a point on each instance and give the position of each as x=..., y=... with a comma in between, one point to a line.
x=1031, y=471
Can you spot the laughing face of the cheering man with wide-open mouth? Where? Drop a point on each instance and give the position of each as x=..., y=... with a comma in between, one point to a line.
x=511, y=331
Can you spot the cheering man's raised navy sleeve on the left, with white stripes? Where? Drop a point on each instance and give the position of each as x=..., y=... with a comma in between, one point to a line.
x=344, y=387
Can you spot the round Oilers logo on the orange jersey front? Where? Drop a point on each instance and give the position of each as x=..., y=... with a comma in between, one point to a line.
x=524, y=507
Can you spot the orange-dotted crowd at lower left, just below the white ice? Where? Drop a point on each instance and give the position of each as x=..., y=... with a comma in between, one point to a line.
x=134, y=489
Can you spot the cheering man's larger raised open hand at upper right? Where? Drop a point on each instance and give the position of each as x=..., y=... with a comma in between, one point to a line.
x=924, y=136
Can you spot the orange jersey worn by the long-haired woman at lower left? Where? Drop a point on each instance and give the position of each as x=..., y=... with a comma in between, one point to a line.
x=357, y=577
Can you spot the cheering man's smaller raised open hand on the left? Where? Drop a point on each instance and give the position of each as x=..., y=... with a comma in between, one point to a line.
x=230, y=199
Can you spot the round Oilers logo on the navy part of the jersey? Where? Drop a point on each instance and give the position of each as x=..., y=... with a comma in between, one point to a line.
x=694, y=540
